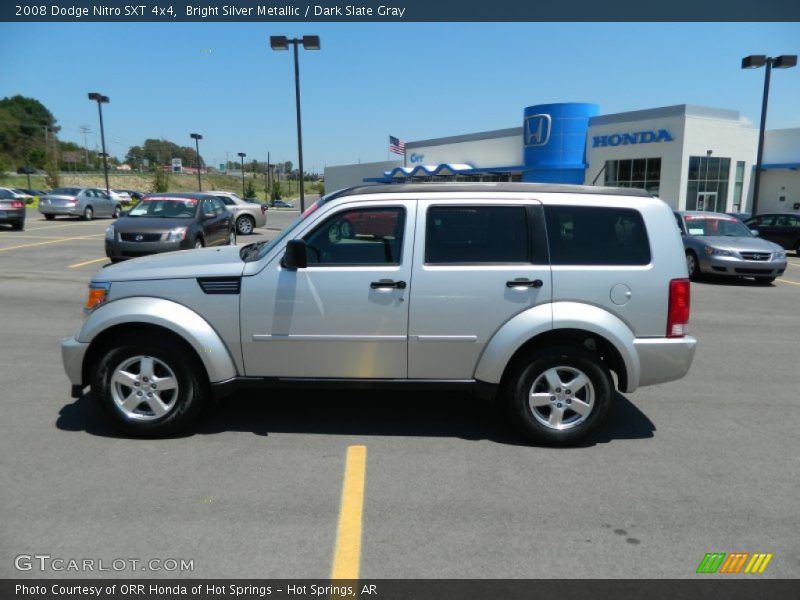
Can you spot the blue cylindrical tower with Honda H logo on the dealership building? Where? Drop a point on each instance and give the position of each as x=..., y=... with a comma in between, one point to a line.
x=554, y=141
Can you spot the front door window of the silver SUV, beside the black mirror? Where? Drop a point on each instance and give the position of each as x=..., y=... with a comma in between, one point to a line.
x=358, y=237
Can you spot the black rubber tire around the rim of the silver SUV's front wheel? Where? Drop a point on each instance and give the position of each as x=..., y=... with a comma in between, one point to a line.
x=189, y=399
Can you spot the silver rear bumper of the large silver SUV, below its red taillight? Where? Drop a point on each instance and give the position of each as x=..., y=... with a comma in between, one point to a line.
x=664, y=359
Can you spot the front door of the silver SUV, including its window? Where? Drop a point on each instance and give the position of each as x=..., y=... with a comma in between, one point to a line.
x=346, y=314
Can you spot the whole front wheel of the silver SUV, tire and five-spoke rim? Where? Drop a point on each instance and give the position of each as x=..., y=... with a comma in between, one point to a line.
x=149, y=387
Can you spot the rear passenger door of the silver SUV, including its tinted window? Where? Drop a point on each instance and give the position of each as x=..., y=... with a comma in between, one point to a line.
x=466, y=260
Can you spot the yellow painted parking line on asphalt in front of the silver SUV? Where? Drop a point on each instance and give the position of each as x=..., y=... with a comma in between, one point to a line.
x=347, y=556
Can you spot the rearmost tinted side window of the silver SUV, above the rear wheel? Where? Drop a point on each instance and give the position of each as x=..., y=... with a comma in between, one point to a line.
x=589, y=235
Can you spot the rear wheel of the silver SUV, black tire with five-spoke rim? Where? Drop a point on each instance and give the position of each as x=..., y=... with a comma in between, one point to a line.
x=568, y=362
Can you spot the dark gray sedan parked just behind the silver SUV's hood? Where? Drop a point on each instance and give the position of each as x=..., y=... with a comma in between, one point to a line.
x=170, y=221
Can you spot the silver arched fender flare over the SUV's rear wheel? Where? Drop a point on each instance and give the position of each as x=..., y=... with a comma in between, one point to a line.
x=559, y=315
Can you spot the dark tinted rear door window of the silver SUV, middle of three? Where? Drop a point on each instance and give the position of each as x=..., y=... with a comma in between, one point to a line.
x=476, y=234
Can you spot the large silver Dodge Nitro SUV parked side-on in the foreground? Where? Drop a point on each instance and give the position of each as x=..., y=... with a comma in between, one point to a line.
x=528, y=293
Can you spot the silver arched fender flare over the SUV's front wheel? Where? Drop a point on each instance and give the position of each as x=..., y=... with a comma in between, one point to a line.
x=173, y=316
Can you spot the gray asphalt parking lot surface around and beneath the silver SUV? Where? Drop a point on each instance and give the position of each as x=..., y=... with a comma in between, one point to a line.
x=705, y=464
